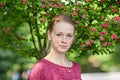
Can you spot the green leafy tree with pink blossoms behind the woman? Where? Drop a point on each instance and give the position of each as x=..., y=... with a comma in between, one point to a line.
x=97, y=24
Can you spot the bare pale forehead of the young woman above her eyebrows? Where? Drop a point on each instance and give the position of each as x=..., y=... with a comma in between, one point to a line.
x=63, y=27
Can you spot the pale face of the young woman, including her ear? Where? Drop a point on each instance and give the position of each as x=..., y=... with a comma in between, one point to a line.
x=61, y=37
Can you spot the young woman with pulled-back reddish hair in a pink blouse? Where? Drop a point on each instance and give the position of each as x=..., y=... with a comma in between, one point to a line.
x=55, y=66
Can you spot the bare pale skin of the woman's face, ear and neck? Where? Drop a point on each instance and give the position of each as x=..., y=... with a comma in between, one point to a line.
x=61, y=38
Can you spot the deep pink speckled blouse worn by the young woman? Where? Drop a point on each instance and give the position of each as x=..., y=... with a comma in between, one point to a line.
x=46, y=70
